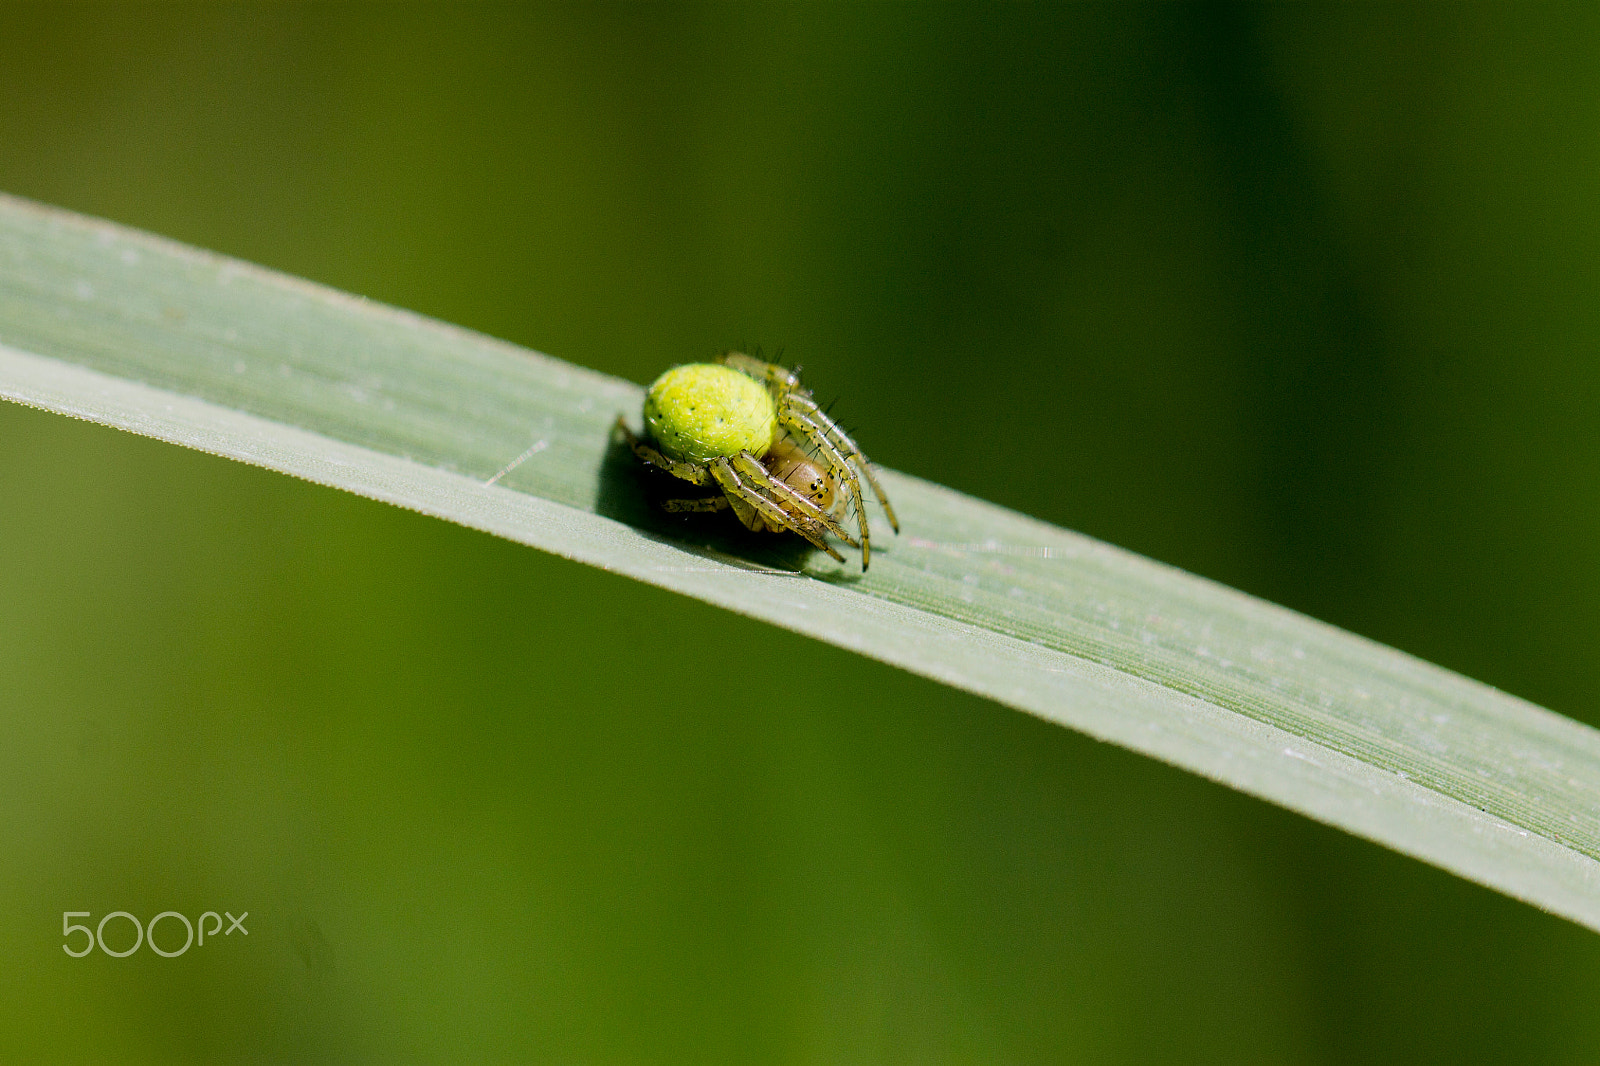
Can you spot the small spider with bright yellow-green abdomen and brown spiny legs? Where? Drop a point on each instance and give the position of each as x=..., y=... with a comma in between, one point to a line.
x=748, y=428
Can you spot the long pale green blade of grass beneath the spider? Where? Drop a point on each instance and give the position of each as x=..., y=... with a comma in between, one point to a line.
x=140, y=334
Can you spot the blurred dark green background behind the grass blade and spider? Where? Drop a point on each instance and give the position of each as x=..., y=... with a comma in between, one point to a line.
x=1302, y=299
